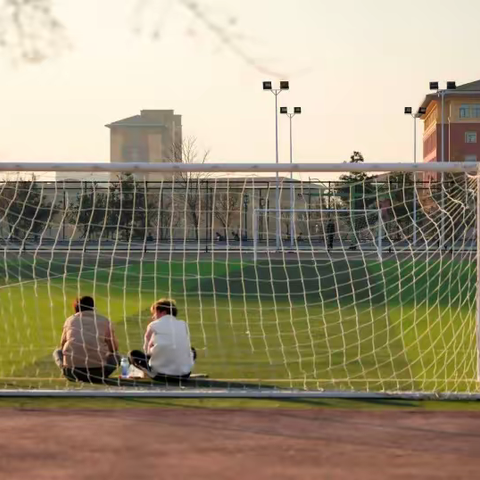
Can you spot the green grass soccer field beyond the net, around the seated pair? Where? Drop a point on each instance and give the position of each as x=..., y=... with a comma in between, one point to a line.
x=348, y=324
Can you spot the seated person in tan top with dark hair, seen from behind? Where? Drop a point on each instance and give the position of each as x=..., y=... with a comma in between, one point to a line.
x=88, y=349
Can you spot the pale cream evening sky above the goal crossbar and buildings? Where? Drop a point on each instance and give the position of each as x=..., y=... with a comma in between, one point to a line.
x=352, y=65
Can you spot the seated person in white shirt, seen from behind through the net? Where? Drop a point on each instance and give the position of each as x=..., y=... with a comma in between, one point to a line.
x=167, y=350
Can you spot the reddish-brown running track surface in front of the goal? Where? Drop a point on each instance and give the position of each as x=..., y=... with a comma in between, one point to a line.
x=231, y=444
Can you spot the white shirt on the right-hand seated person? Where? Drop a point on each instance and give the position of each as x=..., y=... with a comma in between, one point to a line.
x=167, y=341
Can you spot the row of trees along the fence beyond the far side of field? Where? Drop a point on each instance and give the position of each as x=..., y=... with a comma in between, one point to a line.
x=187, y=205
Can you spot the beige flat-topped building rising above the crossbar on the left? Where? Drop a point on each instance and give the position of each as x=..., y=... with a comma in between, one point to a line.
x=154, y=136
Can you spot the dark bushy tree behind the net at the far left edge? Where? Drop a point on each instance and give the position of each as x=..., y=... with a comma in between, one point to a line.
x=27, y=211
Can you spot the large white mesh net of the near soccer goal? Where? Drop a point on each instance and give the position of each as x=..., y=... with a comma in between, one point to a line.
x=333, y=282
